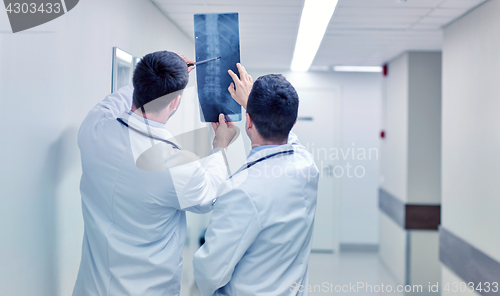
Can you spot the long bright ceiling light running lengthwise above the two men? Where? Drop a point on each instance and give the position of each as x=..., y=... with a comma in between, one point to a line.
x=315, y=18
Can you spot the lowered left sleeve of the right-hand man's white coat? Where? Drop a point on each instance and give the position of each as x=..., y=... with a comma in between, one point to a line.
x=233, y=227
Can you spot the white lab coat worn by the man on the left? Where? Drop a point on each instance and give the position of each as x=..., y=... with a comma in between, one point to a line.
x=135, y=223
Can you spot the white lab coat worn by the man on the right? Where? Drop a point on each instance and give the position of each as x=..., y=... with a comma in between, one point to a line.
x=259, y=238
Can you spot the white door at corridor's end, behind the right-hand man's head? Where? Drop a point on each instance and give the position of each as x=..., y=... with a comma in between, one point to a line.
x=318, y=129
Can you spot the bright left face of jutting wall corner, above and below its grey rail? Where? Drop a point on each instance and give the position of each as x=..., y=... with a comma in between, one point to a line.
x=394, y=164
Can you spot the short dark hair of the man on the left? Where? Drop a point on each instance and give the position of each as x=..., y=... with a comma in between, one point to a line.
x=156, y=75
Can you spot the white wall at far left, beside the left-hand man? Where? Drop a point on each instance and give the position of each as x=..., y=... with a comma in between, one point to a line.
x=50, y=77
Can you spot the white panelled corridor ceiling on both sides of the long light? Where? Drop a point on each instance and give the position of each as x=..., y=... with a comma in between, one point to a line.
x=361, y=32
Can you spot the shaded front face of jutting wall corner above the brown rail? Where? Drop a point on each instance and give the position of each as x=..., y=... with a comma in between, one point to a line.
x=424, y=128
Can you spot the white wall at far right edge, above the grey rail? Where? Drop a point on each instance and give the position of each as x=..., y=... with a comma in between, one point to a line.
x=471, y=129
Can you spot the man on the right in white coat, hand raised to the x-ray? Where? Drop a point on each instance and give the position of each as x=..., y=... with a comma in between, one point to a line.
x=259, y=238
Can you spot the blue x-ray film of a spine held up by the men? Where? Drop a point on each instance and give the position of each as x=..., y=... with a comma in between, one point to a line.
x=217, y=35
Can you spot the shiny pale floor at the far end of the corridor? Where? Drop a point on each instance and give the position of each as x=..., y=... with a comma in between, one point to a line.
x=347, y=270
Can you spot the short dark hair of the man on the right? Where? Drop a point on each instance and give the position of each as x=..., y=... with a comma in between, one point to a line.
x=273, y=105
